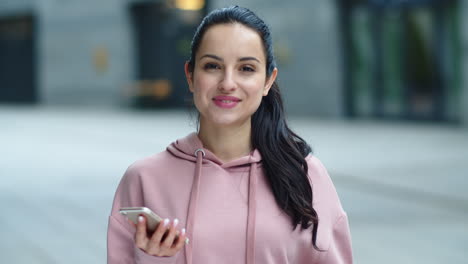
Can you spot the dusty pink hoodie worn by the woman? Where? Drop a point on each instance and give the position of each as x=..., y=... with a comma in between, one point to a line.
x=228, y=209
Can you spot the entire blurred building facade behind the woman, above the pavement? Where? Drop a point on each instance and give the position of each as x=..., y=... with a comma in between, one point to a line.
x=339, y=58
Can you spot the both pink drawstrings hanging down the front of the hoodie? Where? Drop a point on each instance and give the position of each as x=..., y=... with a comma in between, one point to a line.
x=252, y=204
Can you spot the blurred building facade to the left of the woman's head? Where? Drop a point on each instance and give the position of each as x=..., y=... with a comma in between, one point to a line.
x=85, y=52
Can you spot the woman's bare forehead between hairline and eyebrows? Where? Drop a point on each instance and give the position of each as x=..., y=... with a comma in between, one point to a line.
x=232, y=41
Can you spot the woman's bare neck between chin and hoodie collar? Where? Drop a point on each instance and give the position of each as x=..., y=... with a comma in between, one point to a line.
x=227, y=143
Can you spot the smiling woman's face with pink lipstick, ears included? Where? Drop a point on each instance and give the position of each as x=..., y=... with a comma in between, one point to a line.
x=229, y=77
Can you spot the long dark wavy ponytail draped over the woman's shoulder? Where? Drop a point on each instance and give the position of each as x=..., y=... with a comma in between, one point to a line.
x=283, y=158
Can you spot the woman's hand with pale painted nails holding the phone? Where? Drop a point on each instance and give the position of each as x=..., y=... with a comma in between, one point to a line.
x=166, y=240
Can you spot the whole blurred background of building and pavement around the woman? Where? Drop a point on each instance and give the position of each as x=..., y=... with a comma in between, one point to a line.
x=376, y=87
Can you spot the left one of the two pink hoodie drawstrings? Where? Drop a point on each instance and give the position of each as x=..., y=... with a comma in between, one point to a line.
x=199, y=153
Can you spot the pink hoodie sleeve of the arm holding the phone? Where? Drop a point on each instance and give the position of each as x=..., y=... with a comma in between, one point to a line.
x=121, y=247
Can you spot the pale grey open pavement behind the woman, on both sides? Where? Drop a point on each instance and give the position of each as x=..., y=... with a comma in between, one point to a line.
x=402, y=184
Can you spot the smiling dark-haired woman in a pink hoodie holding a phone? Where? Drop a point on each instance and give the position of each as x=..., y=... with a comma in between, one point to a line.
x=245, y=188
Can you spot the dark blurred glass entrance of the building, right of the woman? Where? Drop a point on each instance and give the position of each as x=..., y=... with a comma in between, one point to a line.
x=403, y=59
